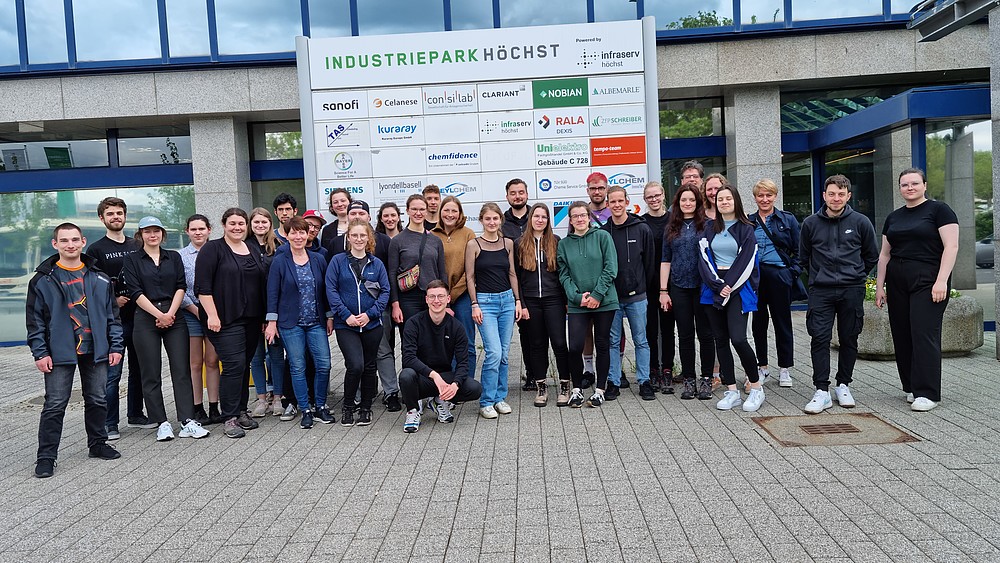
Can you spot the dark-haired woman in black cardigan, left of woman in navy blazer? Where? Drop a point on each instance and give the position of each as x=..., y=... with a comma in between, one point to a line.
x=231, y=286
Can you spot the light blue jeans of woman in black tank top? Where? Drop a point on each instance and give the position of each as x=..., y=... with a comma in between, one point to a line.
x=496, y=330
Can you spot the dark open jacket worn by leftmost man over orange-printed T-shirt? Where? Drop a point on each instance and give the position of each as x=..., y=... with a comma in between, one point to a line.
x=52, y=334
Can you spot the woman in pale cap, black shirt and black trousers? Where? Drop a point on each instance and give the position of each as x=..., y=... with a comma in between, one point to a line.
x=155, y=281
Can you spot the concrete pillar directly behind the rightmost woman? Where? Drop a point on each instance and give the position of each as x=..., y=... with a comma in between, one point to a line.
x=960, y=193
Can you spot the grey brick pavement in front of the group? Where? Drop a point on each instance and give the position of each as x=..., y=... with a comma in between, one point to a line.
x=667, y=480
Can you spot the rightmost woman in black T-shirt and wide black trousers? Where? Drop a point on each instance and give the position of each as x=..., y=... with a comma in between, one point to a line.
x=919, y=246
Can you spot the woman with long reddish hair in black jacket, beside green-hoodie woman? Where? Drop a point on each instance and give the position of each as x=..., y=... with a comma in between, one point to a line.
x=544, y=303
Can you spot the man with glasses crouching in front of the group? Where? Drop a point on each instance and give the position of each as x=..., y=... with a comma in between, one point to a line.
x=433, y=341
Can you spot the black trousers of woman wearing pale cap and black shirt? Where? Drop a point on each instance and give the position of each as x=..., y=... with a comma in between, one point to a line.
x=148, y=339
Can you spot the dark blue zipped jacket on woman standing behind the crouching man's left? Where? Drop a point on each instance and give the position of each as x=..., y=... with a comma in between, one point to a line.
x=349, y=295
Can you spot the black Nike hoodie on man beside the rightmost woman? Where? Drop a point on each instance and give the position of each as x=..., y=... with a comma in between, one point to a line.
x=838, y=251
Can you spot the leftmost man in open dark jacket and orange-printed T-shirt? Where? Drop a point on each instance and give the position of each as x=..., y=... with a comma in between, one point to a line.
x=72, y=320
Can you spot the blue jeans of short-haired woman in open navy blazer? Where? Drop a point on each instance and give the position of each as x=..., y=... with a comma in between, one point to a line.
x=296, y=340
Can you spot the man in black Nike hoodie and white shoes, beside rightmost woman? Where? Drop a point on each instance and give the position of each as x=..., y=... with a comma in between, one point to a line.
x=838, y=247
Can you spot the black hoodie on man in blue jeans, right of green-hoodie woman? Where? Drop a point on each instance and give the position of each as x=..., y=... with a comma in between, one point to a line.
x=638, y=264
